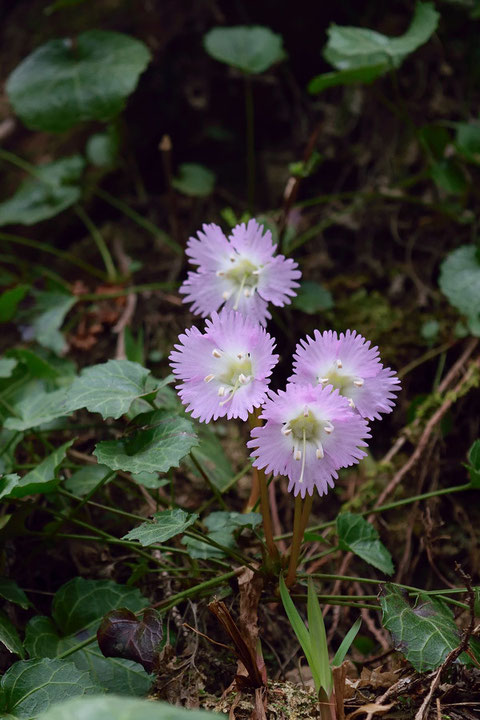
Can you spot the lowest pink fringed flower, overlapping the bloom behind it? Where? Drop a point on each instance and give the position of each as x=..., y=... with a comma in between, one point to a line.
x=310, y=432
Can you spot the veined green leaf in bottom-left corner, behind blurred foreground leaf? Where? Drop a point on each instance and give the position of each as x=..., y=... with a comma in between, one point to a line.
x=31, y=687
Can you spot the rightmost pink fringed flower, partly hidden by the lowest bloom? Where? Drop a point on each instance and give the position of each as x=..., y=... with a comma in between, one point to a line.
x=349, y=364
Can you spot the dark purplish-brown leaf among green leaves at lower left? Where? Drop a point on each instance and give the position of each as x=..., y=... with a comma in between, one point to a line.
x=123, y=634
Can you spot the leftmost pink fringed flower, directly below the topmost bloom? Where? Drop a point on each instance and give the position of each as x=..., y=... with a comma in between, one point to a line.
x=225, y=370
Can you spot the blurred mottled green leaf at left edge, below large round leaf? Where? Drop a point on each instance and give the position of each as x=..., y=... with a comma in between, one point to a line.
x=55, y=187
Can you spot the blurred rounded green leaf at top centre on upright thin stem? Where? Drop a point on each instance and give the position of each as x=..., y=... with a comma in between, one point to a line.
x=250, y=49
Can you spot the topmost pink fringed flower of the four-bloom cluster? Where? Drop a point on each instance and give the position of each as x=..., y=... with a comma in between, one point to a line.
x=240, y=272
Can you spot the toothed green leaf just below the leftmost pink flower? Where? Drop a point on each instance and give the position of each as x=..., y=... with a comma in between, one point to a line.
x=165, y=440
